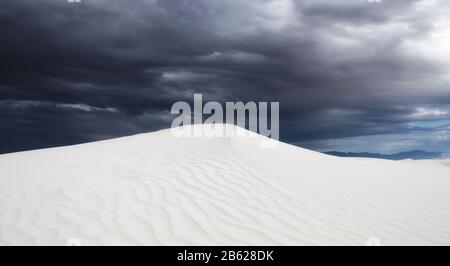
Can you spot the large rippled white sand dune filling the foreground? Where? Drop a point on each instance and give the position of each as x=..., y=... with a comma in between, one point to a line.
x=154, y=189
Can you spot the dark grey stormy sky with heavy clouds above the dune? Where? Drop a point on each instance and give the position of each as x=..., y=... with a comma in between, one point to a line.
x=350, y=75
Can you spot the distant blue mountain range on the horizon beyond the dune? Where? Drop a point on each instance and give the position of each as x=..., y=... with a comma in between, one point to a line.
x=414, y=155
